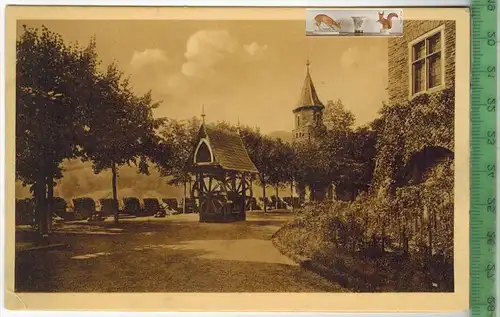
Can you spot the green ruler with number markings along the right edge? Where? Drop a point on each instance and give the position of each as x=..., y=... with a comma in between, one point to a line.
x=483, y=211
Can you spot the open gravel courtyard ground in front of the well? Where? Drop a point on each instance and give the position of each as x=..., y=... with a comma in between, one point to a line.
x=173, y=254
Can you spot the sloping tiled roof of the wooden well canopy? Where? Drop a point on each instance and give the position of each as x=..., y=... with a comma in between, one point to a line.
x=228, y=149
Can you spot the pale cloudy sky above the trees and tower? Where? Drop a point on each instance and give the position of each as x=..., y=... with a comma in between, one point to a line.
x=251, y=70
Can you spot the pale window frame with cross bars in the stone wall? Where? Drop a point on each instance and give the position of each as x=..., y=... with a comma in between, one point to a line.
x=411, y=80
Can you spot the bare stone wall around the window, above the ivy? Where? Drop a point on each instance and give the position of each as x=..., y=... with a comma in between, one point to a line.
x=422, y=60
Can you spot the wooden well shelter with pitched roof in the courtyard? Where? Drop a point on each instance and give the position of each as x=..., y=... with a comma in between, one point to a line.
x=222, y=189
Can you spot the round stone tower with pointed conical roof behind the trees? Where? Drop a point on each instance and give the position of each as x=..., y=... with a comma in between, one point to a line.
x=308, y=113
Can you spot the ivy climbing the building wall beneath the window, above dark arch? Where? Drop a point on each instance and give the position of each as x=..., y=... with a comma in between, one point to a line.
x=406, y=128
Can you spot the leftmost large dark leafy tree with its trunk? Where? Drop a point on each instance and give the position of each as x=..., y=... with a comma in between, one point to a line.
x=49, y=77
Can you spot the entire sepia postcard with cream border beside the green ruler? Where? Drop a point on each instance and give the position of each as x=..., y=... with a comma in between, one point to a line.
x=227, y=159
